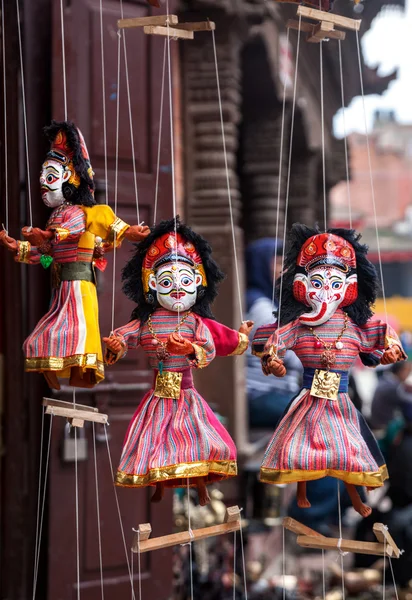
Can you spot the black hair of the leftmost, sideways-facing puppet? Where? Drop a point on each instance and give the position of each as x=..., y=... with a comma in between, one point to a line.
x=83, y=194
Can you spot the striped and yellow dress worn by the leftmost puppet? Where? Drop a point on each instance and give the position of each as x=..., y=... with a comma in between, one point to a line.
x=68, y=335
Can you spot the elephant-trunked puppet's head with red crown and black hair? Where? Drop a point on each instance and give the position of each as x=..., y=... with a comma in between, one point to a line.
x=326, y=271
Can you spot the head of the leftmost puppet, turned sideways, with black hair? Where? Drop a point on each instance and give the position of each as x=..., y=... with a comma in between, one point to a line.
x=66, y=173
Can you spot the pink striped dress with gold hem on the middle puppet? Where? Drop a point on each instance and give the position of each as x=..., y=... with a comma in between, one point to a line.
x=171, y=440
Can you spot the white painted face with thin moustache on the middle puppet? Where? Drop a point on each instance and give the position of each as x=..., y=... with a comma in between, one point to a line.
x=176, y=286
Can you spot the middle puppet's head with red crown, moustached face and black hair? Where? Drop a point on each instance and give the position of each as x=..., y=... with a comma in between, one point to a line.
x=172, y=268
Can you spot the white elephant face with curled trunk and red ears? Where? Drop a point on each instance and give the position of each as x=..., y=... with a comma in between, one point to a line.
x=324, y=289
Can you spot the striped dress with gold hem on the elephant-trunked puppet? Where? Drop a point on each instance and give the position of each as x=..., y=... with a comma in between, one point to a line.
x=318, y=437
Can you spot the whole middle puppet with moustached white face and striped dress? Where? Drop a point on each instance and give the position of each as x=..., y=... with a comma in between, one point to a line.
x=174, y=436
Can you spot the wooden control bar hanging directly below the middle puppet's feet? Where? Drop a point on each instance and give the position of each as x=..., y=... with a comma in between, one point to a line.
x=142, y=543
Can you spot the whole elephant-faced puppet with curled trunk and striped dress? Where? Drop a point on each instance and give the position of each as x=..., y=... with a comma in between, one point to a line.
x=328, y=289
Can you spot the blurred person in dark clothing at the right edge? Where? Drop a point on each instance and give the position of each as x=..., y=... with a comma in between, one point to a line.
x=389, y=395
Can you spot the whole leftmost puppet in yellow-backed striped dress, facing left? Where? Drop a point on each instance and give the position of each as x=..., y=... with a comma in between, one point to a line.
x=66, y=341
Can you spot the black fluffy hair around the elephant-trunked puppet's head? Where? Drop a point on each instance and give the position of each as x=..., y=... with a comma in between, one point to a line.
x=361, y=310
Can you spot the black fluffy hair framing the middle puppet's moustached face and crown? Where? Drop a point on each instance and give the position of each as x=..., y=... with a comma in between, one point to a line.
x=132, y=272
